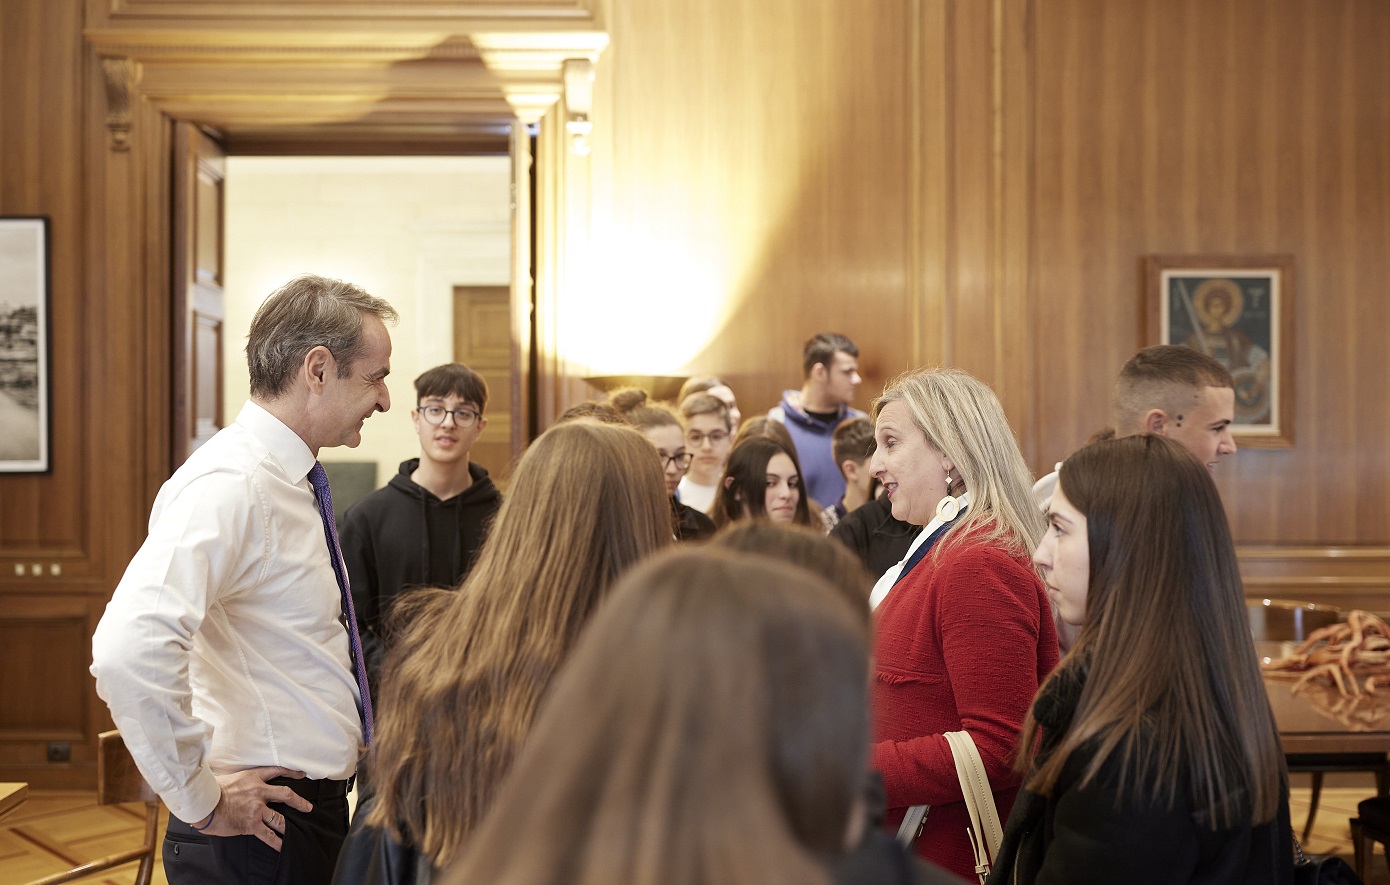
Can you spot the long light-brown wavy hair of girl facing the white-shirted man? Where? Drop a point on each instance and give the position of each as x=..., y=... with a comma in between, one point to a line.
x=468, y=672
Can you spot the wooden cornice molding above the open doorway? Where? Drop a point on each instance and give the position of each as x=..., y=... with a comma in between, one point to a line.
x=397, y=77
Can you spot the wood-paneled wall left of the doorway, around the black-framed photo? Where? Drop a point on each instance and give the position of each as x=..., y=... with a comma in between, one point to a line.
x=54, y=568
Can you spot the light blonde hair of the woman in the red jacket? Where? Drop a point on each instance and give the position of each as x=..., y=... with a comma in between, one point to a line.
x=964, y=420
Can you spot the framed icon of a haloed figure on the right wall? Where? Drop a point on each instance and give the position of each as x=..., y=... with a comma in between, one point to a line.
x=1239, y=311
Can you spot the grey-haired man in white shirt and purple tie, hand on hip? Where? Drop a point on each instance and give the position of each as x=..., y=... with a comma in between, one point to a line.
x=224, y=655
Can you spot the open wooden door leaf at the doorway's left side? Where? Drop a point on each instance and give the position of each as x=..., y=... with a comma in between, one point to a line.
x=199, y=176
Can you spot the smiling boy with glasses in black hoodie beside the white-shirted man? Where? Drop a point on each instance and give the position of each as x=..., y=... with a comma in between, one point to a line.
x=426, y=526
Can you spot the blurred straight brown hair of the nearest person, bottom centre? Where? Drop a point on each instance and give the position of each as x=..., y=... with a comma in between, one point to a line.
x=711, y=729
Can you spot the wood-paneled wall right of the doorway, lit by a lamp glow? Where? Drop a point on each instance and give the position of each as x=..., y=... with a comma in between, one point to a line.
x=976, y=184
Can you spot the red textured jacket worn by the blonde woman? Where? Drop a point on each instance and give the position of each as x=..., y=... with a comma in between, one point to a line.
x=964, y=641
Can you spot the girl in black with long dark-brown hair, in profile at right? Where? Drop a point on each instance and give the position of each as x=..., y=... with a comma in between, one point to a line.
x=1159, y=758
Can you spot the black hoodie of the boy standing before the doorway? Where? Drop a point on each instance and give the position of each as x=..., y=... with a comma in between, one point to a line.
x=402, y=537
